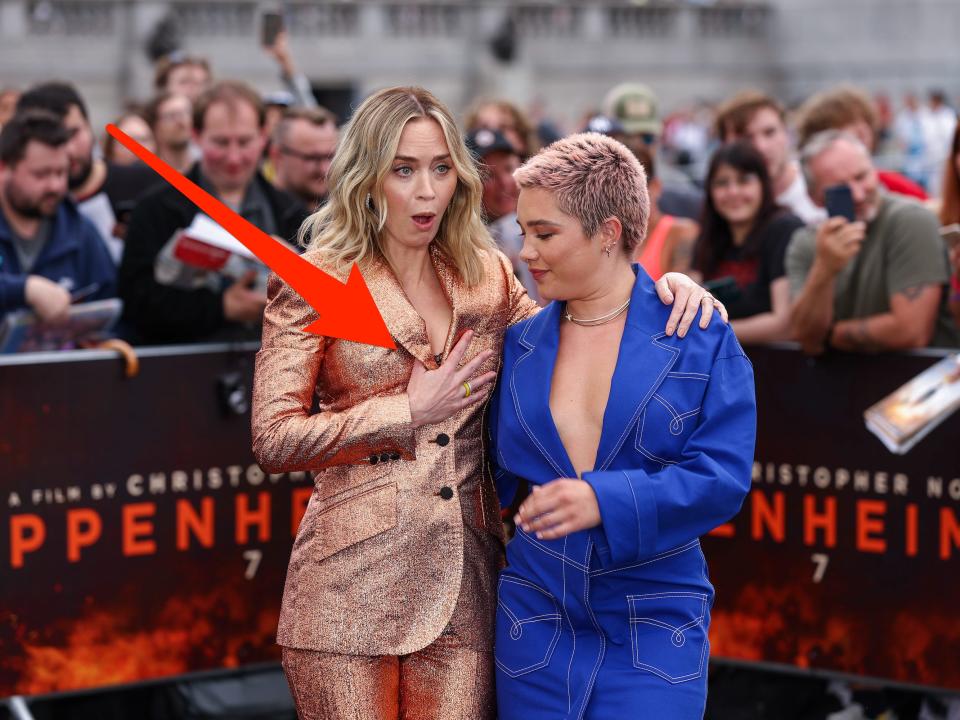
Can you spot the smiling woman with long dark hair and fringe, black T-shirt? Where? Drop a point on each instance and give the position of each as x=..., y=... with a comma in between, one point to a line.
x=743, y=242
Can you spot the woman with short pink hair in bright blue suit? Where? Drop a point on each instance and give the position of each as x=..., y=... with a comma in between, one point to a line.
x=634, y=445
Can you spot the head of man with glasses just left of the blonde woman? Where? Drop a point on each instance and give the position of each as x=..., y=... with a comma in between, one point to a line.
x=301, y=151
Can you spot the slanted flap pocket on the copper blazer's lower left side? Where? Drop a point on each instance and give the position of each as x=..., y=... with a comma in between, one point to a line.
x=355, y=517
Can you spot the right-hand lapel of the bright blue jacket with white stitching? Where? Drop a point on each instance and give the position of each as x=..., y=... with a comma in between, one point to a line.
x=642, y=364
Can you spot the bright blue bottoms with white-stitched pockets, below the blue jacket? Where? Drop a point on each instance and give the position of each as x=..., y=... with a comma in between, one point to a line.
x=574, y=641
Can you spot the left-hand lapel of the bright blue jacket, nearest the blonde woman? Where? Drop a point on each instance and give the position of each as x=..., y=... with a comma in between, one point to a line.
x=530, y=381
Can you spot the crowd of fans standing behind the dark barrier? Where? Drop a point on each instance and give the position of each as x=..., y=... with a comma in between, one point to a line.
x=82, y=220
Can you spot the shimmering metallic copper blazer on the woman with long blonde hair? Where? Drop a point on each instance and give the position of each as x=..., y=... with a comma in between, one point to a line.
x=399, y=518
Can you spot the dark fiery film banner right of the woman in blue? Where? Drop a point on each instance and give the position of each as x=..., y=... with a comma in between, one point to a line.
x=844, y=557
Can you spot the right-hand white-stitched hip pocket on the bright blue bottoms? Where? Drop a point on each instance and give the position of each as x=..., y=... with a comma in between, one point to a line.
x=667, y=634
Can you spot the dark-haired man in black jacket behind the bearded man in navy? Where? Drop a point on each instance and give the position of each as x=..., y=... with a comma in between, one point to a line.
x=105, y=193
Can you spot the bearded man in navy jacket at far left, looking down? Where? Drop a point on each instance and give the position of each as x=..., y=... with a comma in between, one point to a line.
x=48, y=250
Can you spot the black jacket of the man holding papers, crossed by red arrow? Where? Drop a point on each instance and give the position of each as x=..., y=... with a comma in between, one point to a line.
x=155, y=313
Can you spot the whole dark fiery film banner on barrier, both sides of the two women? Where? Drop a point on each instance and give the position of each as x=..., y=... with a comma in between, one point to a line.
x=140, y=540
